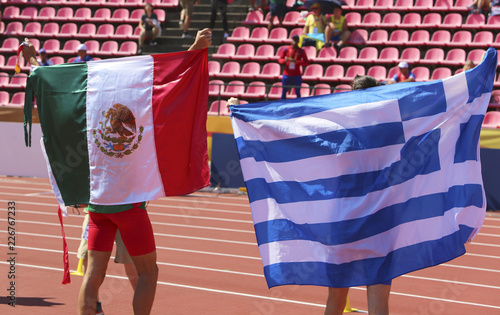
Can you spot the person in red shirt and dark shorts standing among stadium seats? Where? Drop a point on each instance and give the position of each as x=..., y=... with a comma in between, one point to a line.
x=293, y=57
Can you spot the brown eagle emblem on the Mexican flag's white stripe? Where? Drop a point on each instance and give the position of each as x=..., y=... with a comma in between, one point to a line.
x=118, y=134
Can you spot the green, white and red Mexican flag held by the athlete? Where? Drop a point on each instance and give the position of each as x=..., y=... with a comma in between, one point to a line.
x=123, y=130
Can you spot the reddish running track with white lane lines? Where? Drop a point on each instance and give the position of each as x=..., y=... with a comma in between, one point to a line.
x=209, y=264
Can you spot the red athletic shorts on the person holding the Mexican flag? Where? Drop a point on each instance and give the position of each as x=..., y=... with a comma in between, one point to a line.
x=135, y=229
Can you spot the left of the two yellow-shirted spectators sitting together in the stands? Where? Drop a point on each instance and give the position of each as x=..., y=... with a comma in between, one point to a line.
x=314, y=30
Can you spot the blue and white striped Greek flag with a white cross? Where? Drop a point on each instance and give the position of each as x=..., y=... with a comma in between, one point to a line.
x=360, y=187
